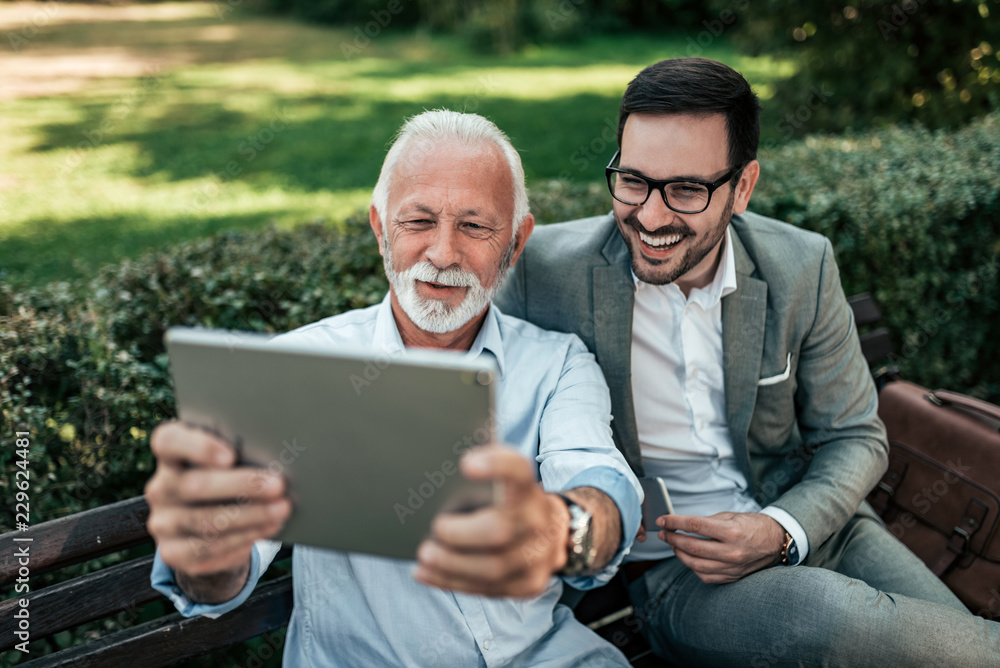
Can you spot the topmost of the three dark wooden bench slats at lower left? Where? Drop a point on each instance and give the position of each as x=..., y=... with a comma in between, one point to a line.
x=76, y=538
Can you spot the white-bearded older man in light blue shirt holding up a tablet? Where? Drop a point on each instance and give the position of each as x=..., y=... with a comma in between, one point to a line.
x=450, y=214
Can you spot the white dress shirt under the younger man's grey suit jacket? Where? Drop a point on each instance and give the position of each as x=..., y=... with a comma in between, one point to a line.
x=680, y=404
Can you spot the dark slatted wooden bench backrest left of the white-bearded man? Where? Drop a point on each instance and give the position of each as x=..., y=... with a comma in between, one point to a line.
x=118, y=592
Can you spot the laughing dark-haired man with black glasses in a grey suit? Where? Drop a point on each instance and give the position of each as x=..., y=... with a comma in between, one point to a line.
x=737, y=378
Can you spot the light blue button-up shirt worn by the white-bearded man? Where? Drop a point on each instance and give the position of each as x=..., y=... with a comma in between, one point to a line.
x=354, y=609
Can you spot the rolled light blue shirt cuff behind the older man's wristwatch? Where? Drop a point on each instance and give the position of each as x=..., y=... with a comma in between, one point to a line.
x=613, y=483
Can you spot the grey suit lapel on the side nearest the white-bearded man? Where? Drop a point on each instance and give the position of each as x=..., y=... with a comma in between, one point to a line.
x=614, y=296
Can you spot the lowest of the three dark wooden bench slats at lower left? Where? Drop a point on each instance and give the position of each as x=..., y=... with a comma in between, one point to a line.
x=172, y=639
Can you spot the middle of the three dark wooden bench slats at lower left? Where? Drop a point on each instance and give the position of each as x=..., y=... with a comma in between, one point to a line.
x=120, y=588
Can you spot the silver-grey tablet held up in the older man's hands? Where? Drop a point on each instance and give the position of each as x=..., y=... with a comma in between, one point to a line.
x=370, y=445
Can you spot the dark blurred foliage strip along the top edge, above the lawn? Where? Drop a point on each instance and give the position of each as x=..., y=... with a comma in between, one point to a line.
x=501, y=26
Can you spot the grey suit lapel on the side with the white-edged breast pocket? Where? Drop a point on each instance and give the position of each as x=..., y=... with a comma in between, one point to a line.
x=744, y=314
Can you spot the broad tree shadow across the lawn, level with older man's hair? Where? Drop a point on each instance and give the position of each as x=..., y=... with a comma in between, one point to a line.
x=338, y=144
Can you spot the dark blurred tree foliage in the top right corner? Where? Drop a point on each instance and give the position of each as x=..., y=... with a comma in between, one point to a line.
x=865, y=62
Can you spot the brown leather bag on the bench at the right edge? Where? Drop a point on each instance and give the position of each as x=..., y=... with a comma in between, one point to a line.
x=941, y=493
